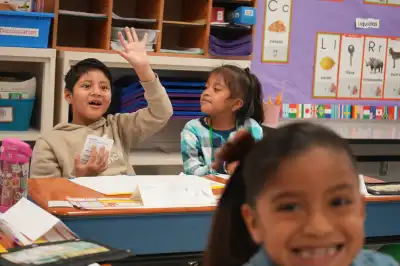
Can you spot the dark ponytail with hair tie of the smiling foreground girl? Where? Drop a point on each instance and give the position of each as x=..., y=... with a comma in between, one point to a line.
x=229, y=242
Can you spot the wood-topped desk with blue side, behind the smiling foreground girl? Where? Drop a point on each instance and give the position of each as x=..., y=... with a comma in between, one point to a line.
x=174, y=230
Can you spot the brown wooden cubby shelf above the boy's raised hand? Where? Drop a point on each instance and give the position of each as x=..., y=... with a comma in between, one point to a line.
x=180, y=23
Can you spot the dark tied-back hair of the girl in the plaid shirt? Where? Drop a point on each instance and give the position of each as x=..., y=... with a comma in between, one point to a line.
x=245, y=85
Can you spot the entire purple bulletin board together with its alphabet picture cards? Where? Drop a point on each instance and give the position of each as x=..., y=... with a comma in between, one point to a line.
x=362, y=69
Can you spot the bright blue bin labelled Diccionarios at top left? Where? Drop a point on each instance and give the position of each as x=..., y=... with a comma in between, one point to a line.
x=25, y=29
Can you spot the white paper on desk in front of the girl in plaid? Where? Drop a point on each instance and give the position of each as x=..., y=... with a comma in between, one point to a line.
x=175, y=194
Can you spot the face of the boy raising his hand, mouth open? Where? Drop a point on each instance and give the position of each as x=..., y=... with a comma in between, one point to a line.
x=91, y=97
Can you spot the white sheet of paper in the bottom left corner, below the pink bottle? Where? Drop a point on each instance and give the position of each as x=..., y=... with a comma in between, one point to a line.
x=29, y=219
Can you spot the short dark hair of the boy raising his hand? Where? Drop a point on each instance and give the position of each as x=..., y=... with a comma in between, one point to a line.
x=82, y=67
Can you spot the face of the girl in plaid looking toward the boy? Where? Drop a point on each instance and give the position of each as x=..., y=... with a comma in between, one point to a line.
x=216, y=99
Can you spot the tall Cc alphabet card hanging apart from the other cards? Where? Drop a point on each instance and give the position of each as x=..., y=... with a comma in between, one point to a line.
x=277, y=26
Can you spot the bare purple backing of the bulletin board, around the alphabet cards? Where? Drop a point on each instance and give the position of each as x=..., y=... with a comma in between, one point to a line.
x=308, y=18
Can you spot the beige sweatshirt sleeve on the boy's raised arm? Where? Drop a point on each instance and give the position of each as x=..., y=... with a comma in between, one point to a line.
x=134, y=128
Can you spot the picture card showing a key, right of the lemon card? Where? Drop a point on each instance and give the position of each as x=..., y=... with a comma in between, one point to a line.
x=350, y=64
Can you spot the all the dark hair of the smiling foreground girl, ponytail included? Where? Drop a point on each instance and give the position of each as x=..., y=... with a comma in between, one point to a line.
x=230, y=244
